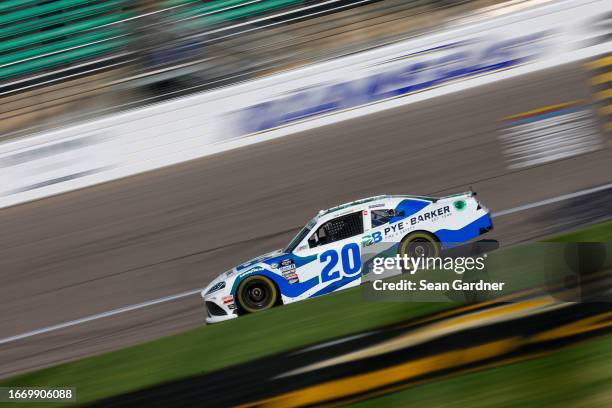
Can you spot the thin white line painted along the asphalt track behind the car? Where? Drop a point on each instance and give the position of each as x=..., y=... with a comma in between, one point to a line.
x=195, y=291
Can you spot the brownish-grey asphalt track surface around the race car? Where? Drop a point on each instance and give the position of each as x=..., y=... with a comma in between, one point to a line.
x=175, y=229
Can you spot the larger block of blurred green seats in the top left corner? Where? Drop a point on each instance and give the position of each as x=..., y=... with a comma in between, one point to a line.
x=37, y=35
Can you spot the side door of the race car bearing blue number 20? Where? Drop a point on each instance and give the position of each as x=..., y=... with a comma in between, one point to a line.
x=336, y=243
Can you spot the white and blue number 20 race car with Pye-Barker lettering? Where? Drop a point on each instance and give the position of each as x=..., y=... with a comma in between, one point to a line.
x=332, y=251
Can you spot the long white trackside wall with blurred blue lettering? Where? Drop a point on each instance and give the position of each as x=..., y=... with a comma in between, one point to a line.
x=450, y=60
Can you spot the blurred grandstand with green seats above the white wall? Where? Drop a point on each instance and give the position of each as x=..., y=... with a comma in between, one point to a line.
x=66, y=61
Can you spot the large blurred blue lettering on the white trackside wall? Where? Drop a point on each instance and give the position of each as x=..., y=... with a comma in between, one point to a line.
x=395, y=77
